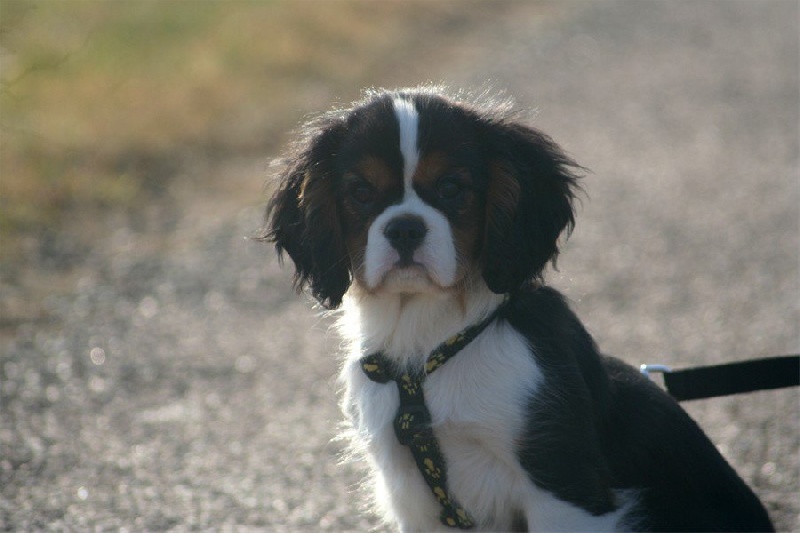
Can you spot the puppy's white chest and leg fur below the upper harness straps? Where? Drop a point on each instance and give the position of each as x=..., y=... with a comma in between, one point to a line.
x=478, y=403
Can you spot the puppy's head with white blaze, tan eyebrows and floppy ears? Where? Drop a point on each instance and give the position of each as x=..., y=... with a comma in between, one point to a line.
x=412, y=192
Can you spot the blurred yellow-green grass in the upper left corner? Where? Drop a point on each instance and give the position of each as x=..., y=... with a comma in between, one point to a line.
x=96, y=97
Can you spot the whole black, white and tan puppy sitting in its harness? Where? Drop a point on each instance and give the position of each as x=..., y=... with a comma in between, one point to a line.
x=428, y=220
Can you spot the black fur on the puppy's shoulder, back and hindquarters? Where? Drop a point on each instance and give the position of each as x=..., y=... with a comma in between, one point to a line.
x=600, y=425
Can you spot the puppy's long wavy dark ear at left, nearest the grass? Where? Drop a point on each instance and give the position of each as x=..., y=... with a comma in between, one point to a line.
x=302, y=218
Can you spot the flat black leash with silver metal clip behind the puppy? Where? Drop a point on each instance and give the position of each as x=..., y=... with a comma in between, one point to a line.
x=729, y=378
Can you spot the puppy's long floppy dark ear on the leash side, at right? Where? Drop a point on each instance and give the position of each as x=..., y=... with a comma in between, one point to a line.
x=531, y=190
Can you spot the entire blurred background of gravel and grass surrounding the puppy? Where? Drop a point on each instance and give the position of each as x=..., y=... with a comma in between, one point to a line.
x=157, y=372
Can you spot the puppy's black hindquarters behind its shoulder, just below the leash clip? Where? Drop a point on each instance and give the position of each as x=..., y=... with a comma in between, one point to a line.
x=652, y=442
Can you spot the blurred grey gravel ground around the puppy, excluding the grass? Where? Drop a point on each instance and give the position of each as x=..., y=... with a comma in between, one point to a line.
x=180, y=384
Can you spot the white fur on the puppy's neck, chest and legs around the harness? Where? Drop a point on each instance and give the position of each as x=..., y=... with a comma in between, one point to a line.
x=478, y=405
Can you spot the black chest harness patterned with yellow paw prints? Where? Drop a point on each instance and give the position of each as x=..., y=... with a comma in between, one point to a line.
x=412, y=425
